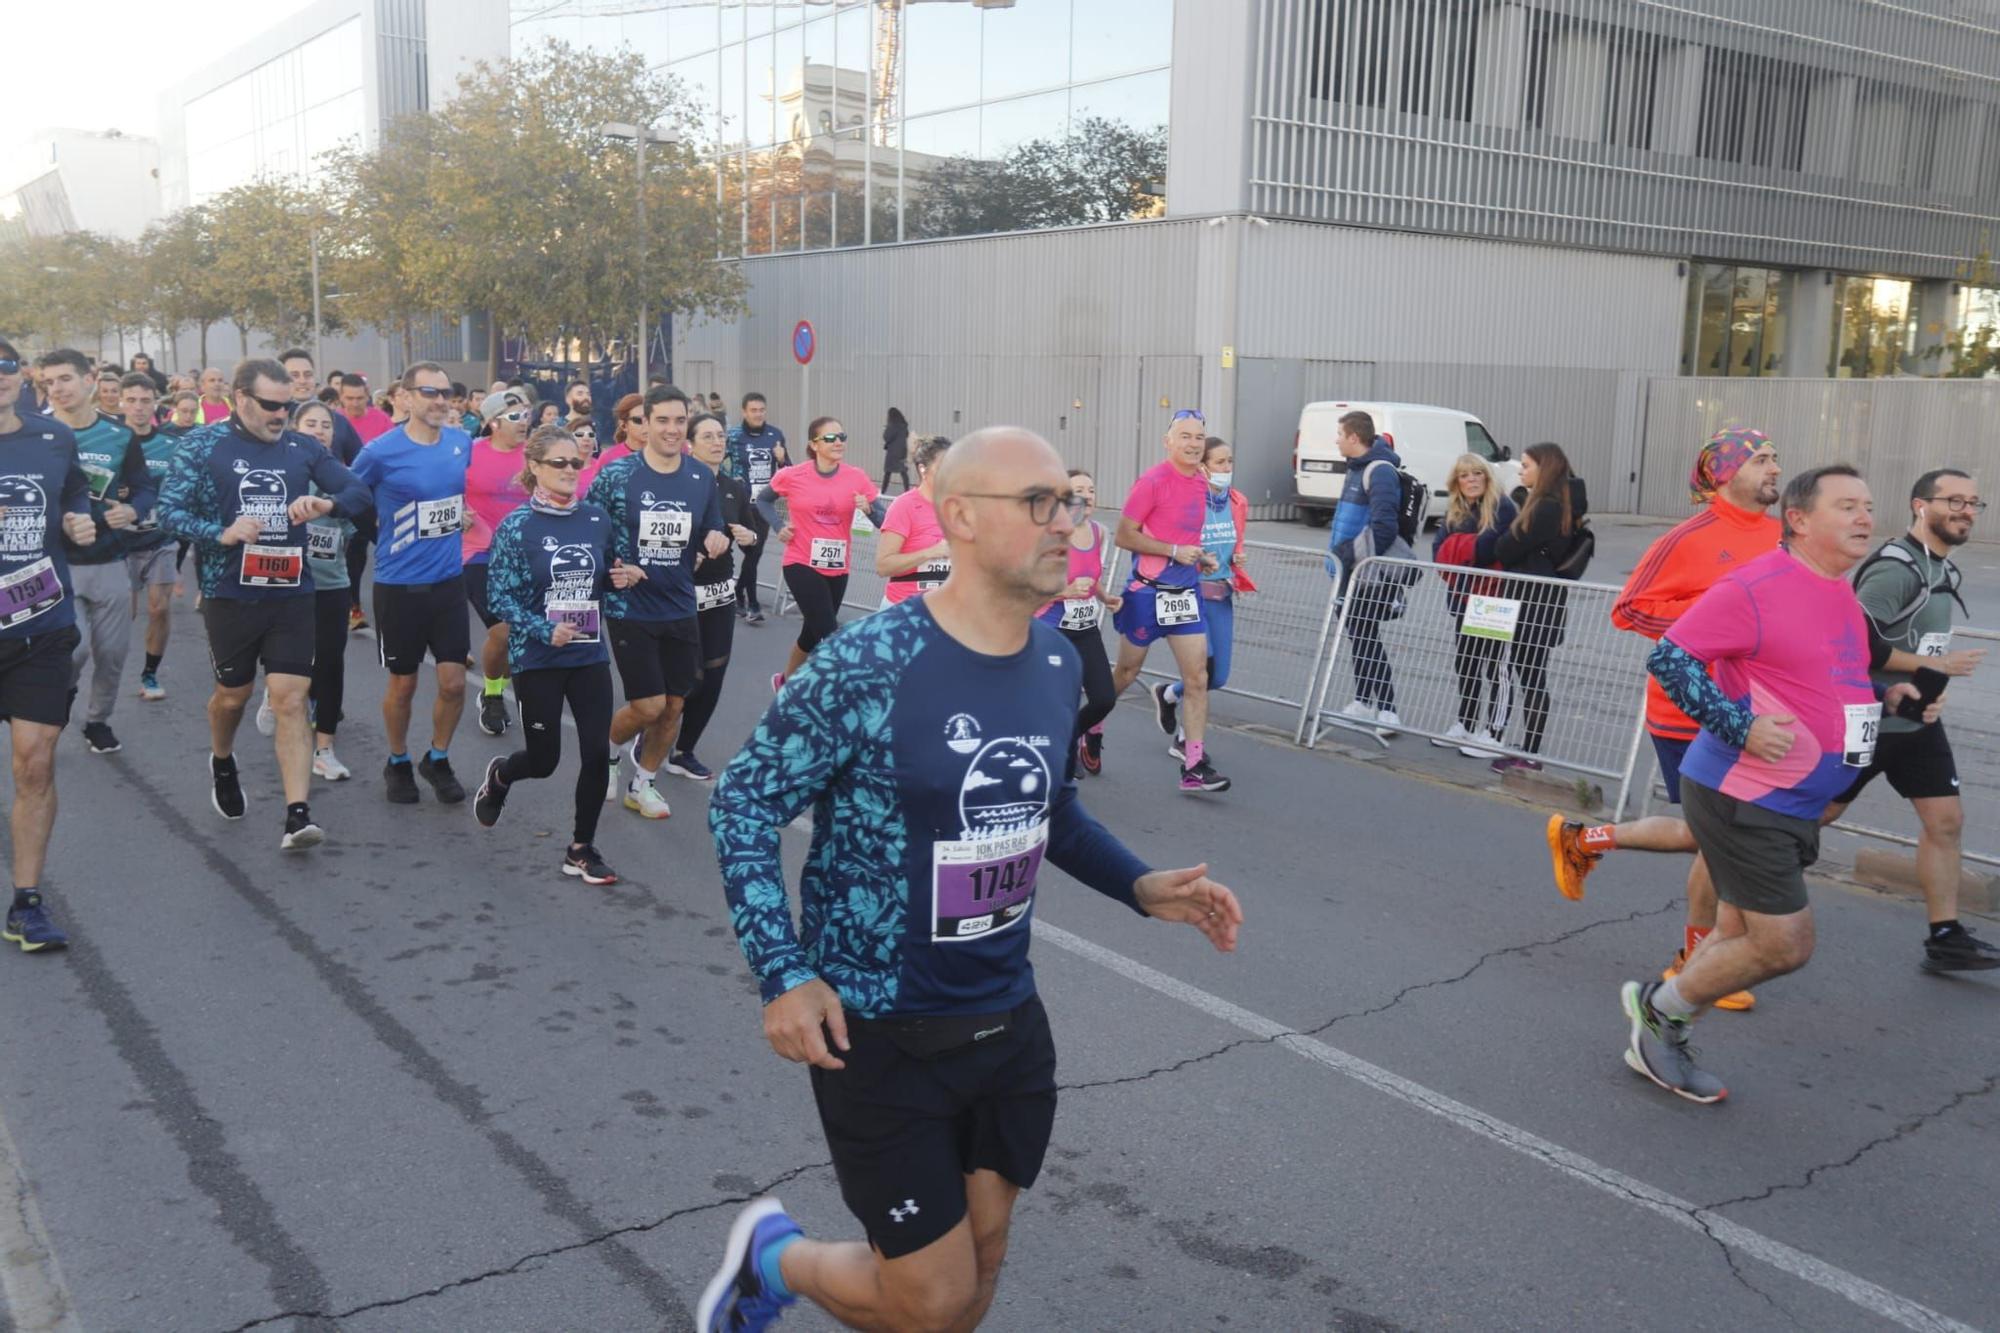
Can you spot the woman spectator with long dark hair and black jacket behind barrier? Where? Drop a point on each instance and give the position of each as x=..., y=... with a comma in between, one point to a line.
x=1537, y=543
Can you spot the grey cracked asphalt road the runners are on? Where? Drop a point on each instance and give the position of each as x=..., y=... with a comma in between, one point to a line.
x=417, y=1080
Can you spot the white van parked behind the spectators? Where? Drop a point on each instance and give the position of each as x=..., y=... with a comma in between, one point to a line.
x=1425, y=437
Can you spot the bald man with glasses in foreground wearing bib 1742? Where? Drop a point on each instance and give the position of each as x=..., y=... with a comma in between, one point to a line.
x=929, y=742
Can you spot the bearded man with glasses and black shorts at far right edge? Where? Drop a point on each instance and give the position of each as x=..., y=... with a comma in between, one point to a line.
x=1907, y=591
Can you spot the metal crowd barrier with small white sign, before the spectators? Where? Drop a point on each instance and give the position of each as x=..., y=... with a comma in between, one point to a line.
x=1463, y=663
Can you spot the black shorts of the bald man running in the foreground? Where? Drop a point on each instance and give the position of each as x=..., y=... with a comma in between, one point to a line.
x=907, y=1132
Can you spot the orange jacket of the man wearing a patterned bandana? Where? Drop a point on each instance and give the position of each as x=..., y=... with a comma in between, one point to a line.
x=1673, y=575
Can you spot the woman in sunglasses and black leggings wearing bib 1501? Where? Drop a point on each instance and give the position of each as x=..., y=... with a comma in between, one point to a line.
x=549, y=575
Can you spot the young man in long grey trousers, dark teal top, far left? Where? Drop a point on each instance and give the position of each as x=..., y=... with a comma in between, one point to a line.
x=121, y=497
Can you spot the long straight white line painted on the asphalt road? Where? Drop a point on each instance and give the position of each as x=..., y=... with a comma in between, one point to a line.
x=1743, y=1240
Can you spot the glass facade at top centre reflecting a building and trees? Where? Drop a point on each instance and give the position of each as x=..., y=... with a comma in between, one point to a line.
x=851, y=123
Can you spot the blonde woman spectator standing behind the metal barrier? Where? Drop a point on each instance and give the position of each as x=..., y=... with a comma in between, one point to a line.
x=1475, y=509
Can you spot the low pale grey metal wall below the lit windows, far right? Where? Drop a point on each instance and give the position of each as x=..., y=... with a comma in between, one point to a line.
x=1893, y=431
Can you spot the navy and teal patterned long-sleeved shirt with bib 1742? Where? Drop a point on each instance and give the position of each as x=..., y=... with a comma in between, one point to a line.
x=937, y=784
